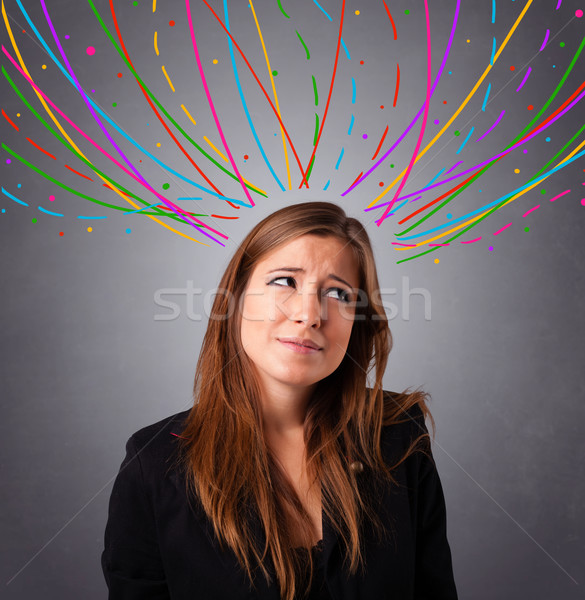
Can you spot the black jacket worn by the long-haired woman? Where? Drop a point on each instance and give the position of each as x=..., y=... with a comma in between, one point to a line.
x=156, y=547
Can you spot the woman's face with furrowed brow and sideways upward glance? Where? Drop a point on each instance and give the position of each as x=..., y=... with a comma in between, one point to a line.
x=300, y=293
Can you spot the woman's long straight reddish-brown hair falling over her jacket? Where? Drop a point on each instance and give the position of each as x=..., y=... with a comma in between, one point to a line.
x=230, y=469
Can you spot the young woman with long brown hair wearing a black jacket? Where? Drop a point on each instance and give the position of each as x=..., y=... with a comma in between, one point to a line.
x=294, y=475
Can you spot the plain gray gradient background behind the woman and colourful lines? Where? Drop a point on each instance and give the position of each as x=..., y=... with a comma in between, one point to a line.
x=85, y=363
